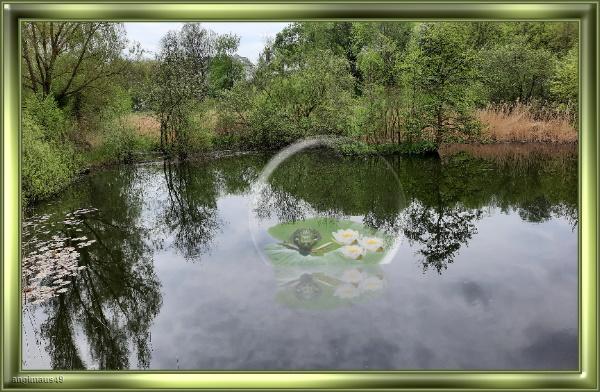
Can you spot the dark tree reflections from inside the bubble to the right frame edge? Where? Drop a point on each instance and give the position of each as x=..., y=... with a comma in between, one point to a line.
x=446, y=195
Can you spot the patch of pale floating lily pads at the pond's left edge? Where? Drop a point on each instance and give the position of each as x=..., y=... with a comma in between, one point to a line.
x=49, y=265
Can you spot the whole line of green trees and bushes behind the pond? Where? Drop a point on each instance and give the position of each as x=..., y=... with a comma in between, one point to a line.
x=87, y=89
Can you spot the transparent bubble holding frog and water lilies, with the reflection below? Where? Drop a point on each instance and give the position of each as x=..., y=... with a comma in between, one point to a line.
x=324, y=224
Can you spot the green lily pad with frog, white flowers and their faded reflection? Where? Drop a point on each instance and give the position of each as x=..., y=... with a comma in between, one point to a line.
x=324, y=263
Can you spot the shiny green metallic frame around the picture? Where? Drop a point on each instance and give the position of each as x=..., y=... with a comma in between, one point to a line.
x=585, y=12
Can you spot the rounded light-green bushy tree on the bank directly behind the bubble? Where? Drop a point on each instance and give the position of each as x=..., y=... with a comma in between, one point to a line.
x=303, y=100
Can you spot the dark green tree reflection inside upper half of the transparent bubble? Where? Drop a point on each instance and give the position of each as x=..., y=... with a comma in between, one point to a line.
x=323, y=184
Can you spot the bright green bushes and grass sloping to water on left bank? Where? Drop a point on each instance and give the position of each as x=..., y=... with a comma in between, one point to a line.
x=56, y=152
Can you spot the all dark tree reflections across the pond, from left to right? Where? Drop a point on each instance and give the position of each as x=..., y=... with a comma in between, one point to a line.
x=115, y=299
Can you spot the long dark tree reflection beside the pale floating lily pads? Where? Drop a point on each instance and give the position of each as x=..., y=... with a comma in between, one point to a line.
x=114, y=300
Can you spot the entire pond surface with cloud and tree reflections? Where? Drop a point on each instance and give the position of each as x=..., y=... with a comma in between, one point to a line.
x=464, y=261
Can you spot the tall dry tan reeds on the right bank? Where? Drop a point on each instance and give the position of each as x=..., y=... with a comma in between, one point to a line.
x=518, y=122
